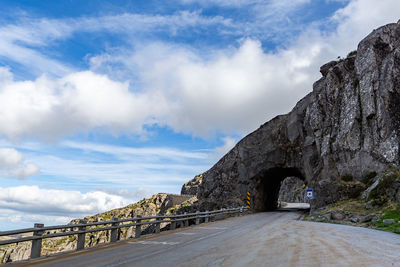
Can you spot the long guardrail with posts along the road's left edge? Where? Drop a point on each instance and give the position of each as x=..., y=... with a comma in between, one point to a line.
x=81, y=229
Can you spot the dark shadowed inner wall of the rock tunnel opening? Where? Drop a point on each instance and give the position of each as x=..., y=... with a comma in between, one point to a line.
x=269, y=185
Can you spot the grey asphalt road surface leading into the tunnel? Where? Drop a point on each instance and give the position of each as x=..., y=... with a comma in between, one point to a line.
x=262, y=239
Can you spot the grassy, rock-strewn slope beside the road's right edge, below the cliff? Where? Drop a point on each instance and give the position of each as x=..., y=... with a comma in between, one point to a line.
x=377, y=207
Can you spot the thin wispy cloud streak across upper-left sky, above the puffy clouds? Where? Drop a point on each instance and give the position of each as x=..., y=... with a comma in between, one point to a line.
x=20, y=41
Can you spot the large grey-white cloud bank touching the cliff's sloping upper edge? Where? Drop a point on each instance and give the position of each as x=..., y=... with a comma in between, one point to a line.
x=237, y=89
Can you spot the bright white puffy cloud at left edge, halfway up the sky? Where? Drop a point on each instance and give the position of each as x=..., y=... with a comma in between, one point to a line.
x=49, y=108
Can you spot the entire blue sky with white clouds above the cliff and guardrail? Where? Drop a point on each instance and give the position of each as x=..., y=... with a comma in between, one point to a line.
x=104, y=103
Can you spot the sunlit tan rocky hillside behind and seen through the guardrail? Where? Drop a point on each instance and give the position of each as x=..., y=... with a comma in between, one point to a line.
x=163, y=204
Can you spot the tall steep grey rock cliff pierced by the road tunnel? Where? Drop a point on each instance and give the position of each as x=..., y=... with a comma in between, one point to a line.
x=348, y=126
